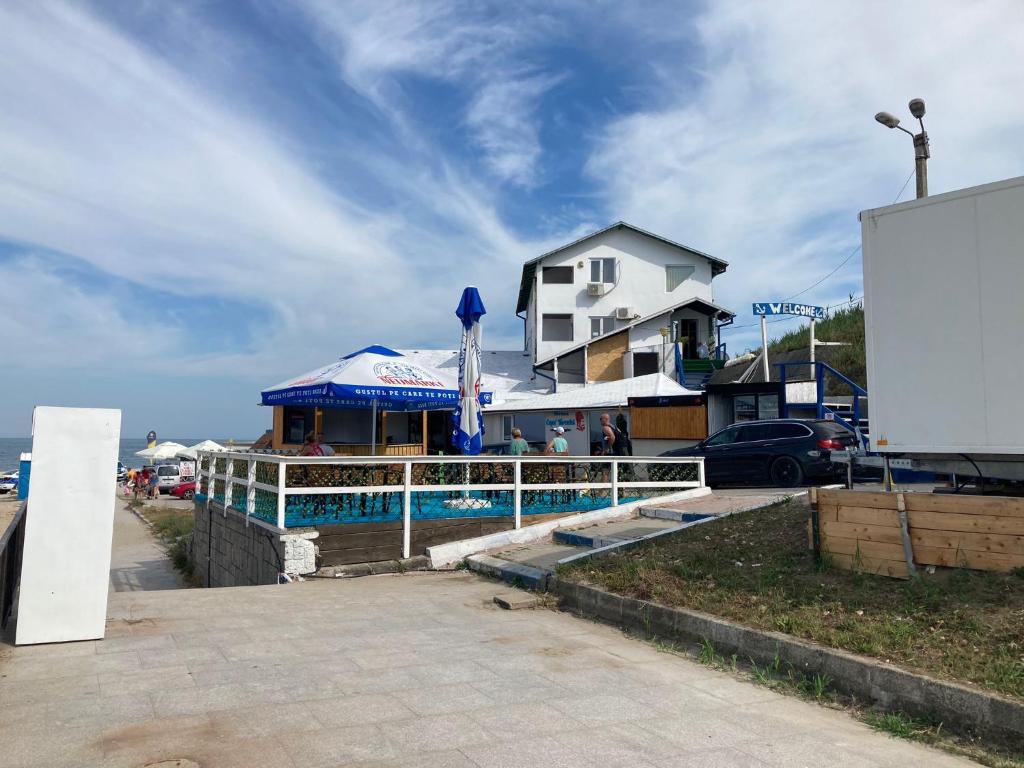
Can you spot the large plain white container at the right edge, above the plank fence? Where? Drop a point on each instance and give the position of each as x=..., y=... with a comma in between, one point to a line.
x=945, y=316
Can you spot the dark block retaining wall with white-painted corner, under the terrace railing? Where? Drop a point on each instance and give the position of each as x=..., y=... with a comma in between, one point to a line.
x=227, y=552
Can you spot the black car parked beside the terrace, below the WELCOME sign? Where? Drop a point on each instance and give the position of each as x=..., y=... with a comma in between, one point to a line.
x=783, y=452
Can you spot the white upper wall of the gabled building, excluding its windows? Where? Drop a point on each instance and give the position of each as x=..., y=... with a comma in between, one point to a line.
x=642, y=284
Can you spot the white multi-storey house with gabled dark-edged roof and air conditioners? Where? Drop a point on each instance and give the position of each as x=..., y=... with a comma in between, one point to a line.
x=619, y=279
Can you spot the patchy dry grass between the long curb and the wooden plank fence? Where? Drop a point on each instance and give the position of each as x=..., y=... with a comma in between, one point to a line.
x=756, y=569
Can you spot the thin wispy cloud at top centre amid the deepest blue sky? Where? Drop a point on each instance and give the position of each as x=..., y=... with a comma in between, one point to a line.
x=473, y=47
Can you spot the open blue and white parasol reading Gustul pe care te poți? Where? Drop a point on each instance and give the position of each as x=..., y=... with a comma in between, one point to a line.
x=374, y=378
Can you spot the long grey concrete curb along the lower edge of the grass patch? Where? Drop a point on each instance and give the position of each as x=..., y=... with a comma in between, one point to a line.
x=957, y=707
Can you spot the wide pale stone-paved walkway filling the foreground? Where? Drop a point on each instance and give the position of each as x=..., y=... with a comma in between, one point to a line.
x=412, y=670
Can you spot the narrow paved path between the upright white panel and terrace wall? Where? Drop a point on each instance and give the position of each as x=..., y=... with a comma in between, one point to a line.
x=138, y=562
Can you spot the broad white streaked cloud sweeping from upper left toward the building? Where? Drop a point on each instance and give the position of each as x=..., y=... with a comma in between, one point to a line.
x=115, y=159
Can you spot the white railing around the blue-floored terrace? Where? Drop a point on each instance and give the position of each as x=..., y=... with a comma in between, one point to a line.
x=570, y=484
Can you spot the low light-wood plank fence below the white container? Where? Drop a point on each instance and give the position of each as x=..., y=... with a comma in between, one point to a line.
x=863, y=531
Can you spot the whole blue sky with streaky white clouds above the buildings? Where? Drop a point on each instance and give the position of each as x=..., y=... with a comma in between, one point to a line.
x=203, y=198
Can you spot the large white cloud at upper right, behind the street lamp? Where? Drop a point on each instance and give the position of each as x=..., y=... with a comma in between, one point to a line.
x=770, y=157
